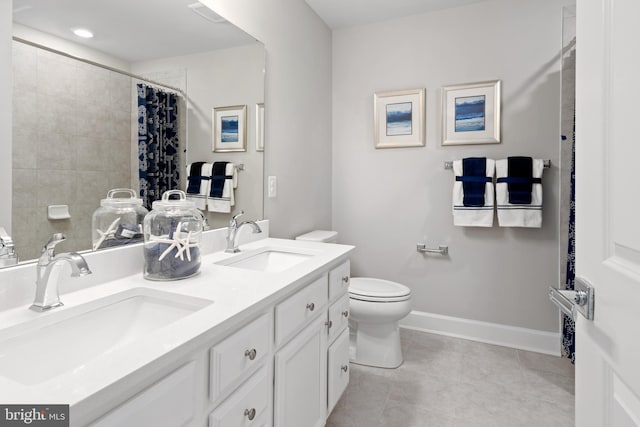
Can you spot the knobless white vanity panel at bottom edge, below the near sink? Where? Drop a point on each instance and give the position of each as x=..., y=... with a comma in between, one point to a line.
x=169, y=402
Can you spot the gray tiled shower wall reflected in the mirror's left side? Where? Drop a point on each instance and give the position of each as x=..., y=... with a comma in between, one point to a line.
x=71, y=144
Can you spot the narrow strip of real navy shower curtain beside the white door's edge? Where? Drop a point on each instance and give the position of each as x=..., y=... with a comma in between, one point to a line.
x=568, y=325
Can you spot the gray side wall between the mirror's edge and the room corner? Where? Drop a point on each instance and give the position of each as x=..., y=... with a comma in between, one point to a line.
x=297, y=108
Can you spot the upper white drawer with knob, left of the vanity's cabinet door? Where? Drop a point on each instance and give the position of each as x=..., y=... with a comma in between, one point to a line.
x=238, y=354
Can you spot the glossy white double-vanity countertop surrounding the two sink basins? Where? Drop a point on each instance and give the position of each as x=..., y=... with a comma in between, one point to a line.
x=237, y=295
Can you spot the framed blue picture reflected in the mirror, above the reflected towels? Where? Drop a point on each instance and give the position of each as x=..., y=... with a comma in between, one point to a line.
x=229, y=128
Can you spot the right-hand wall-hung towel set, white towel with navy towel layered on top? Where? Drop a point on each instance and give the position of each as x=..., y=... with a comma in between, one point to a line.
x=513, y=209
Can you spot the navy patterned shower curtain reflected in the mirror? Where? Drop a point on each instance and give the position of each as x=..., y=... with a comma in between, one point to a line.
x=158, y=144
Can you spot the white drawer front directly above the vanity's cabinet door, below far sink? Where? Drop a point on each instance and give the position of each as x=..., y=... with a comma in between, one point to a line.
x=293, y=313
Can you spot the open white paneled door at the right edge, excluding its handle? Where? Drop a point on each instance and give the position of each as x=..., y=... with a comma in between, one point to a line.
x=608, y=211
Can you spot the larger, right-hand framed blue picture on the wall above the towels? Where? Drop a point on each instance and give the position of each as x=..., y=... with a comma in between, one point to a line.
x=471, y=113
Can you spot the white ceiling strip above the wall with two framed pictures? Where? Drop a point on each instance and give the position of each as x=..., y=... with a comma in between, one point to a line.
x=347, y=13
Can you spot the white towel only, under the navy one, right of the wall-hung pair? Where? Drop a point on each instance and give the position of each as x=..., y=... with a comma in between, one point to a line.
x=510, y=215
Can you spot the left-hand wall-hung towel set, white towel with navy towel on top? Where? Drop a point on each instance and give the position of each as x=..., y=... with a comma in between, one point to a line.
x=476, y=208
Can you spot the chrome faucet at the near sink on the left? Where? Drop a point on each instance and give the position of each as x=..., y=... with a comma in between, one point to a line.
x=47, y=296
